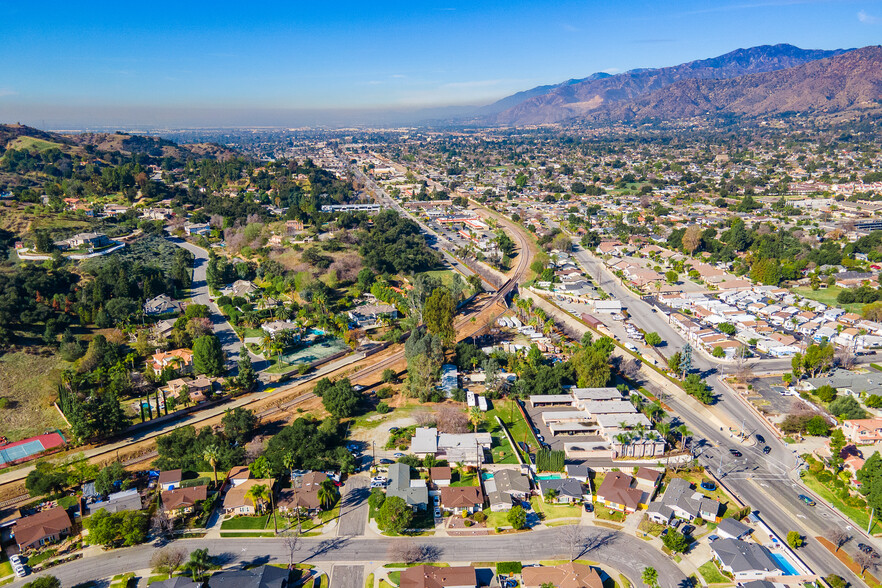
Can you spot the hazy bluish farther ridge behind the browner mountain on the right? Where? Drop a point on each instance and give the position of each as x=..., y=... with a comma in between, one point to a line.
x=585, y=98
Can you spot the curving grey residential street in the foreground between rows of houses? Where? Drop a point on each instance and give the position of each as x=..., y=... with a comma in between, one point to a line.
x=614, y=549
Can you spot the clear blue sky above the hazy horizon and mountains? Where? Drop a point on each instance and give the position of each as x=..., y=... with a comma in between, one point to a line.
x=63, y=58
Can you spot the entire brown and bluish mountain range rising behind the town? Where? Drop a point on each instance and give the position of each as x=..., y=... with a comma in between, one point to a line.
x=757, y=82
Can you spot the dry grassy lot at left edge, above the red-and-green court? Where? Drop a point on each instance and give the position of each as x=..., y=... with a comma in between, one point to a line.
x=29, y=383
